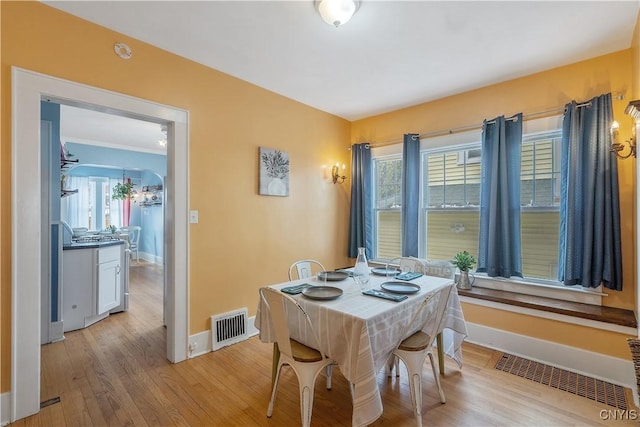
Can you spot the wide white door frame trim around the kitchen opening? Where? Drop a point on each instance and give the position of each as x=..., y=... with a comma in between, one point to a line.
x=28, y=89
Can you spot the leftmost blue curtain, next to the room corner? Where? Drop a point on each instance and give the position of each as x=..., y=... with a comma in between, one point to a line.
x=361, y=215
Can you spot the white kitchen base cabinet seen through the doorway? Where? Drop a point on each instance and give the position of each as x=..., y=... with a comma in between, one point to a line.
x=91, y=284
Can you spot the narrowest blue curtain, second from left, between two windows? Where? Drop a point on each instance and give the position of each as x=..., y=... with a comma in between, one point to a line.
x=410, y=194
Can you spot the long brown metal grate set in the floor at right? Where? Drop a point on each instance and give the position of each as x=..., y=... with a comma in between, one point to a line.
x=591, y=388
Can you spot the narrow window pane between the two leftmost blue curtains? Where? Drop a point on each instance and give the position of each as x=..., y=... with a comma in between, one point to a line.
x=387, y=207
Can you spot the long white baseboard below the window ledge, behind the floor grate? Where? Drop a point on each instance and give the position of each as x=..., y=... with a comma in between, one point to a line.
x=607, y=368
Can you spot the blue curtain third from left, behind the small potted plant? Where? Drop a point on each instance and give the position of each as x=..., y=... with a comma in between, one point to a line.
x=499, y=240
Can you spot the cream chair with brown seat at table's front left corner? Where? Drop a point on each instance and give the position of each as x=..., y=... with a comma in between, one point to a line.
x=306, y=362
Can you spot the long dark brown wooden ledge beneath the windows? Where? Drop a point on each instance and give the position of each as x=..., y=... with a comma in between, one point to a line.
x=613, y=315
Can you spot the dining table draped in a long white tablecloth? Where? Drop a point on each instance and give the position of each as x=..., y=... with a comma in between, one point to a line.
x=360, y=331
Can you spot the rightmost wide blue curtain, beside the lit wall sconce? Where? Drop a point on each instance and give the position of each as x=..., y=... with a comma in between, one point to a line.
x=589, y=249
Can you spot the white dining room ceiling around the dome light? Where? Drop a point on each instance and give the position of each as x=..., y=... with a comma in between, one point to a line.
x=392, y=54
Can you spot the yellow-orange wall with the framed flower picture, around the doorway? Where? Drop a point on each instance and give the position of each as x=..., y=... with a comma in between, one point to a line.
x=238, y=230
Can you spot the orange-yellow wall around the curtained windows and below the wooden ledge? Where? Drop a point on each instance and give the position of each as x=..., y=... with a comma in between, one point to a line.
x=535, y=93
